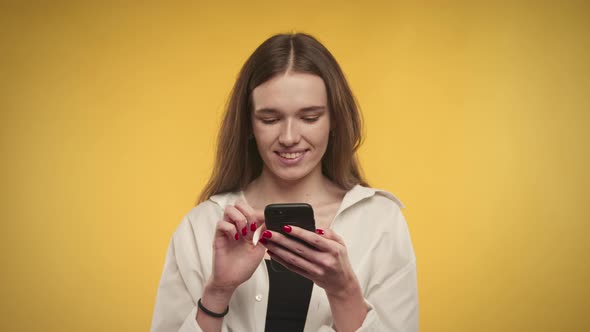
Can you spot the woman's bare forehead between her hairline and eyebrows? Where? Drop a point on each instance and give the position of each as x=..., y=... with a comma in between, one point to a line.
x=290, y=92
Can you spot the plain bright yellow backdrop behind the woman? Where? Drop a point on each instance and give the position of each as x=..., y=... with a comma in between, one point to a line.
x=477, y=117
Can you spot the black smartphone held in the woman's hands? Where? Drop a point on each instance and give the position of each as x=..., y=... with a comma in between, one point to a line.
x=295, y=214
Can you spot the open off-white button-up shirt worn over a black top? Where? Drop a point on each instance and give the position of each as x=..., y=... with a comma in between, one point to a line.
x=379, y=249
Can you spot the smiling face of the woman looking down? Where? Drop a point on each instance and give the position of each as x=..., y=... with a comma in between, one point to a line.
x=291, y=125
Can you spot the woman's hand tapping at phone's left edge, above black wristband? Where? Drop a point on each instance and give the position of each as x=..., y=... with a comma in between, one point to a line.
x=235, y=256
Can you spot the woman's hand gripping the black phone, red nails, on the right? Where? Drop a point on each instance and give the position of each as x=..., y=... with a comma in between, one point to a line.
x=324, y=261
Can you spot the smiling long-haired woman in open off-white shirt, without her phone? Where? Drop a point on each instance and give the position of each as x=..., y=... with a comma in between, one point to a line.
x=289, y=135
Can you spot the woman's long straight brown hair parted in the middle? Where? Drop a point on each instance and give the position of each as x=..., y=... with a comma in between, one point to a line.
x=238, y=162
